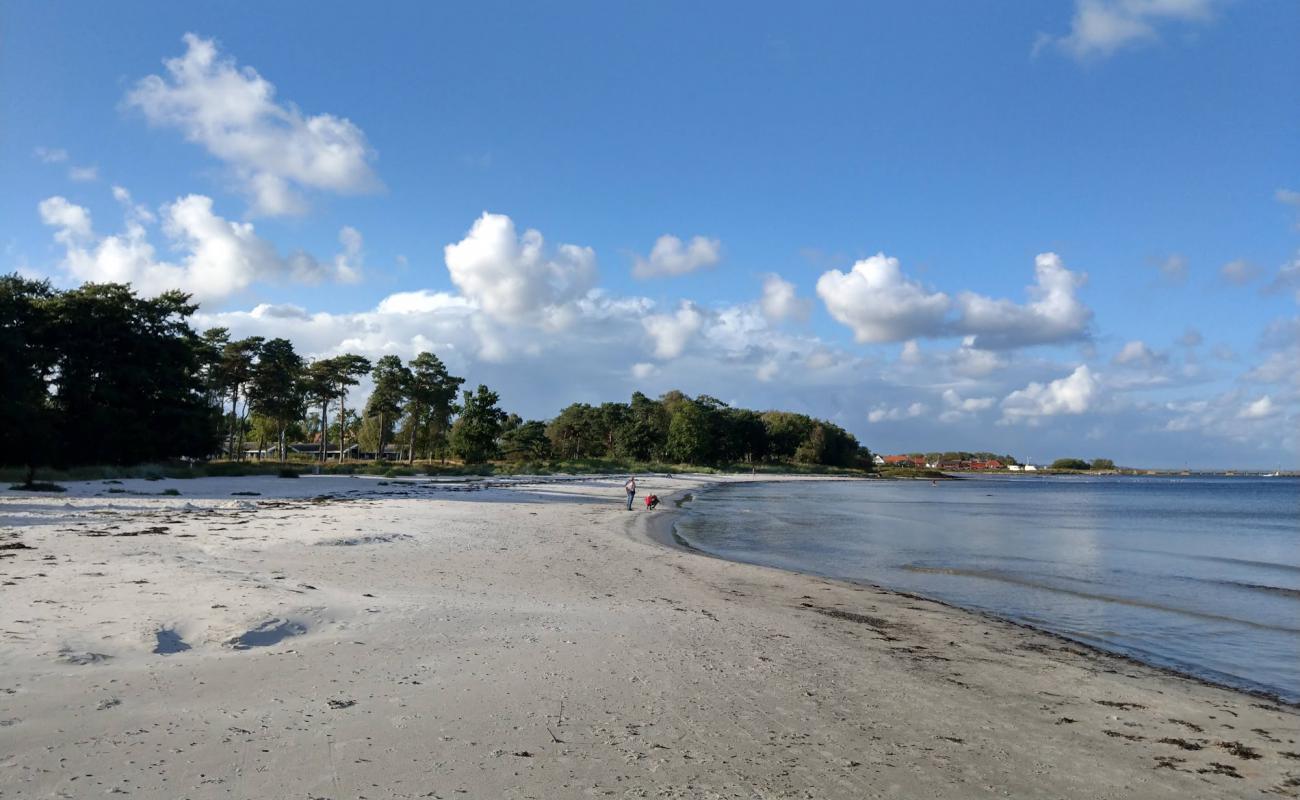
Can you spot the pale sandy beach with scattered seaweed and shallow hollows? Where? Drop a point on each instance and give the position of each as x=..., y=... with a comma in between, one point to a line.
x=366, y=638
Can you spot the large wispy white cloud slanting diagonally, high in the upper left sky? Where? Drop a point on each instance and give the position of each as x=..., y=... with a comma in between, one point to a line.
x=274, y=149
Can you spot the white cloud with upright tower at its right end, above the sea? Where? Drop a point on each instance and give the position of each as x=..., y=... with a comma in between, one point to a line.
x=1052, y=315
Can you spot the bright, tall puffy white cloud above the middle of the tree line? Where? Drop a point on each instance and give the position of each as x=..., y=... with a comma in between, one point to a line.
x=513, y=279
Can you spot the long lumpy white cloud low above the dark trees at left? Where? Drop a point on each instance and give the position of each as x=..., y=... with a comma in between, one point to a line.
x=219, y=258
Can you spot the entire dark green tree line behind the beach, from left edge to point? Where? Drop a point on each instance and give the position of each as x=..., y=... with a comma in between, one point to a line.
x=101, y=377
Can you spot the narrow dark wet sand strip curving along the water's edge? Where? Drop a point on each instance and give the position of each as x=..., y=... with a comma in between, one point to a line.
x=669, y=538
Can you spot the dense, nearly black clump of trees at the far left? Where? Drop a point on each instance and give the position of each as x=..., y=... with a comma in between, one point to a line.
x=98, y=375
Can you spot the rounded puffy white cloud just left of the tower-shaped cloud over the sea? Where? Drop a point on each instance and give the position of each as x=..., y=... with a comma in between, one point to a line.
x=879, y=304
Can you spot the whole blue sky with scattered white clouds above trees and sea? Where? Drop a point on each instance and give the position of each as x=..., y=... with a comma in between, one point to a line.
x=1064, y=228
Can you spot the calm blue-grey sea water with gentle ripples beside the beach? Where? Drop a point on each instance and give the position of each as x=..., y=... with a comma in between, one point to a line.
x=1198, y=574
